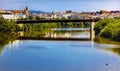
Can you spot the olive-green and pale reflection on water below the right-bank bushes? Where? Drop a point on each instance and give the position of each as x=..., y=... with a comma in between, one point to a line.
x=108, y=45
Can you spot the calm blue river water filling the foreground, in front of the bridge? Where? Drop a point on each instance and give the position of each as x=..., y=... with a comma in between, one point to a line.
x=47, y=55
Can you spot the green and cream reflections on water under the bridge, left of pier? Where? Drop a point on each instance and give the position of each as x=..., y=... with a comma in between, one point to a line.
x=60, y=33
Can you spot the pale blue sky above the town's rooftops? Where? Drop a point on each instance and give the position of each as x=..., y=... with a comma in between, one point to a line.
x=61, y=5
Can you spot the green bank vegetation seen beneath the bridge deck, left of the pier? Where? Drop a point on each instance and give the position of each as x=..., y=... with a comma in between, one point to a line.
x=40, y=30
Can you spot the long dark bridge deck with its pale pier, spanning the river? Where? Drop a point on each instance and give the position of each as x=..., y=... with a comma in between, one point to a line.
x=92, y=23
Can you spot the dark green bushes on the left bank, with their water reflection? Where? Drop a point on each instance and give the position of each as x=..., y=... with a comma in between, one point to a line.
x=8, y=32
